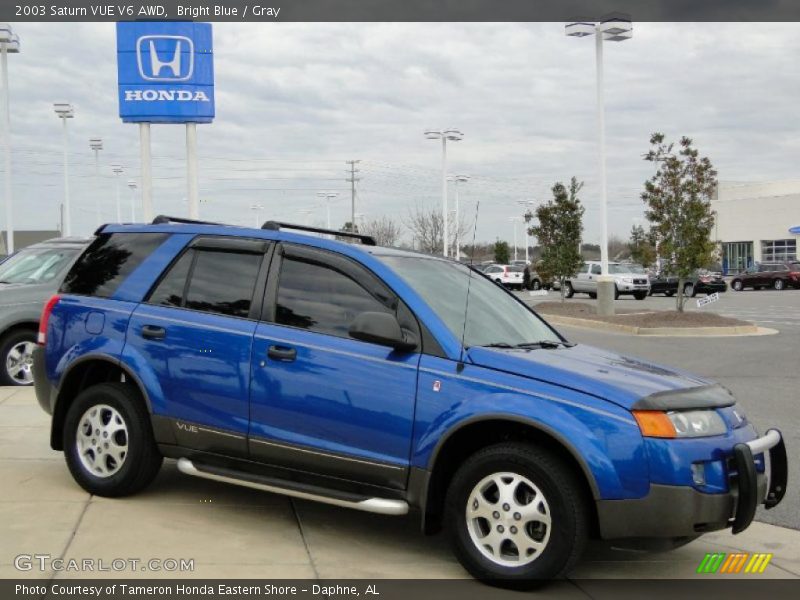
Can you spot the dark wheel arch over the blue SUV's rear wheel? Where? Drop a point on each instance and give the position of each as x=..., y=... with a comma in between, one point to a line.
x=85, y=372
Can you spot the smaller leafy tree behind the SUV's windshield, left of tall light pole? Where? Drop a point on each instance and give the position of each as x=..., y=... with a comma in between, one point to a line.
x=558, y=228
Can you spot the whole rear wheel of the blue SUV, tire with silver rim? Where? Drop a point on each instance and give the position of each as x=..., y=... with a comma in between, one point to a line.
x=108, y=441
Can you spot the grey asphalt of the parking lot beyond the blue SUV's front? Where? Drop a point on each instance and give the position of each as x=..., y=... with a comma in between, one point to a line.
x=762, y=371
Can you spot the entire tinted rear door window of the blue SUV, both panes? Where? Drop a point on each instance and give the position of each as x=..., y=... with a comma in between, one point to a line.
x=218, y=282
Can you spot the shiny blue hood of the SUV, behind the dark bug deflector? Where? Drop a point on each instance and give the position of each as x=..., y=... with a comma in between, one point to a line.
x=619, y=379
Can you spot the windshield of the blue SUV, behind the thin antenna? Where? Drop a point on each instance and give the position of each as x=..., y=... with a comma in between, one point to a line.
x=494, y=316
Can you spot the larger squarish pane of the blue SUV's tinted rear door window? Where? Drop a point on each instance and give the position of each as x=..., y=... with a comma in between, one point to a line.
x=222, y=282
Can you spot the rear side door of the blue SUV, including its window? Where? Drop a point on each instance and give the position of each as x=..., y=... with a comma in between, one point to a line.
x=193, y=338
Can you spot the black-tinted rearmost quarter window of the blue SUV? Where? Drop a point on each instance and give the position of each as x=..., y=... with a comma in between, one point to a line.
x=108, y=261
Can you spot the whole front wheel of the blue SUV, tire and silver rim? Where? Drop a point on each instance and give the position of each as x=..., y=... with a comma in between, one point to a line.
x=516, y=516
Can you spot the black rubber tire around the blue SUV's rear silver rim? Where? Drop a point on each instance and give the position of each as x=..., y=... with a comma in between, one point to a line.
x=142, y=460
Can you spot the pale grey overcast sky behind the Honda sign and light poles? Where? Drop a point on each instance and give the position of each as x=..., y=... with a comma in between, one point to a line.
x=295, y=101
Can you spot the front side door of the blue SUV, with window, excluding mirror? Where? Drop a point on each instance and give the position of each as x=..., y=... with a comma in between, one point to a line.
x=321, y=401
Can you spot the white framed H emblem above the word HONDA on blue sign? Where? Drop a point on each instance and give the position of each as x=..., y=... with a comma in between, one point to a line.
x=165, y=57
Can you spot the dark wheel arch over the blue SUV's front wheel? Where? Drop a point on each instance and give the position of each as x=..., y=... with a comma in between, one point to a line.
x=473, y=434
